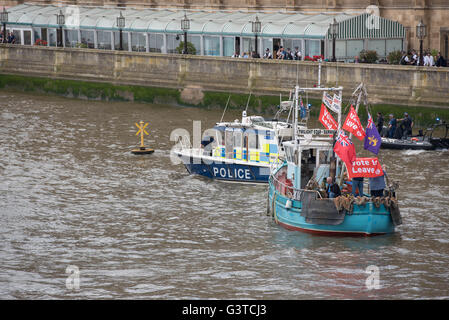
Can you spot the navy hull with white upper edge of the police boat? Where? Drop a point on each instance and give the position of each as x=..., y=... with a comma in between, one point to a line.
x=226, y=169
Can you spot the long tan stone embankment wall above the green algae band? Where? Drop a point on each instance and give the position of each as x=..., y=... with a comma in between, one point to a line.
x=193, y=76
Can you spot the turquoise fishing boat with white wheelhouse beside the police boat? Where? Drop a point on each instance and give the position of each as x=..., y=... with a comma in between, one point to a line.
x=298, y=202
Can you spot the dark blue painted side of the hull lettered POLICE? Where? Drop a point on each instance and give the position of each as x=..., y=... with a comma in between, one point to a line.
x=229, y=172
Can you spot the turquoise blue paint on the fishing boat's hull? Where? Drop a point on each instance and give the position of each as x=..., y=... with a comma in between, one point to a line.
x=364, y=221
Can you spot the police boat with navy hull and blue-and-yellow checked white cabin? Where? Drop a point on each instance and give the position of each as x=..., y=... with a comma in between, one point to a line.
x=240, y=151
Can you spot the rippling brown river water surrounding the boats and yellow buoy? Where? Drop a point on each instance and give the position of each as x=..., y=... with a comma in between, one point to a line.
x=73, y=198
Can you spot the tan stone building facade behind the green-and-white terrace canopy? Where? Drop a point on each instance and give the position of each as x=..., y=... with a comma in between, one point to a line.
x=434, y=13
